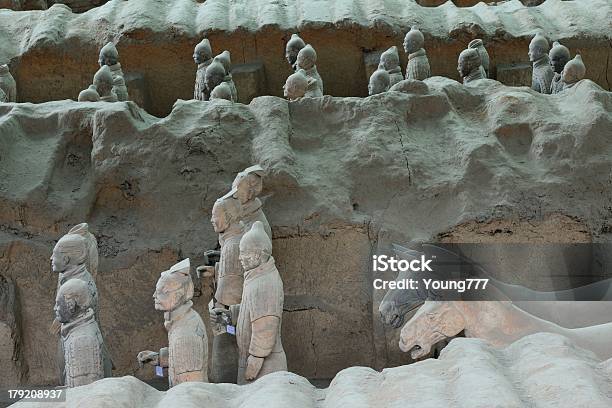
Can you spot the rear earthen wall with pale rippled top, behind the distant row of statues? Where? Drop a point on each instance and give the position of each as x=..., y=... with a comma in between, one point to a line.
x=53, y=53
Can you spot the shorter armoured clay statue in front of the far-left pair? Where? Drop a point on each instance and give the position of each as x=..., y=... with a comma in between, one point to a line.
x=82, y=344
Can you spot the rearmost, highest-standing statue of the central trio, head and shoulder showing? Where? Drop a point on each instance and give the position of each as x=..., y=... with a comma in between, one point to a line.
x=247, y=187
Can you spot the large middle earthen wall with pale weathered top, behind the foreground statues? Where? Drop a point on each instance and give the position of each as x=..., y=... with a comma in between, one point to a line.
x=367, y=173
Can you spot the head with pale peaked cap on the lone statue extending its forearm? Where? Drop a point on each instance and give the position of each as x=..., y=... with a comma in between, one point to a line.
x=174, y=287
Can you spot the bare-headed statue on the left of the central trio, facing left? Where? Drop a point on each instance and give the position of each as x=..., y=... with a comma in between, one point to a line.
x=229, y=278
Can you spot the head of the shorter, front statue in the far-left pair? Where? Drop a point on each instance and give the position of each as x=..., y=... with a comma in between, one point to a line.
x=73, y=300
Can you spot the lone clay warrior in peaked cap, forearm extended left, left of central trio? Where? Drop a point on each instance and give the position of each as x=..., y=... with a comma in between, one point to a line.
x=187, y=353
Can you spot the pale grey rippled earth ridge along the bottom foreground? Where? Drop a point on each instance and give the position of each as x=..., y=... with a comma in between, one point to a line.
x=543, y=370
